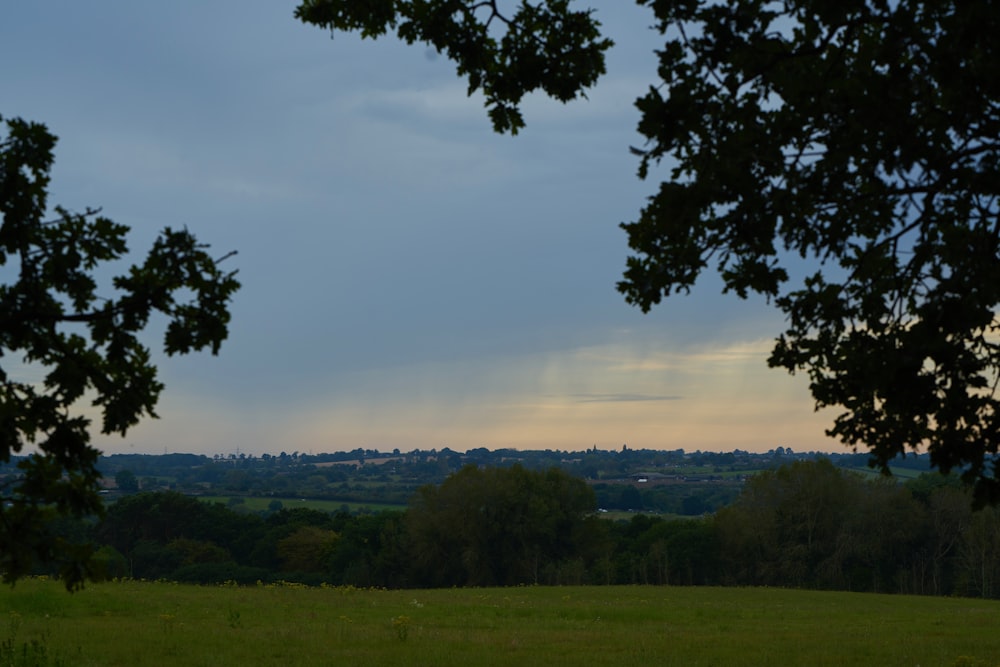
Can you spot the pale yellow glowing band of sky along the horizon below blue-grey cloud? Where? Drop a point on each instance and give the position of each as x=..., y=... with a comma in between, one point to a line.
x=720, y=397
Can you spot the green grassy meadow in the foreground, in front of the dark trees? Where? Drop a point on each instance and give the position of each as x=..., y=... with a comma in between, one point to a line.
x=139, y=623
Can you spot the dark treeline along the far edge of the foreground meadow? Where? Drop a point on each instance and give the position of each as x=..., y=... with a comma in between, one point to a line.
x=805, y=524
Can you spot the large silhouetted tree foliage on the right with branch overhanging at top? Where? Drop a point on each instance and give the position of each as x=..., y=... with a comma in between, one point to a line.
x=839, y=158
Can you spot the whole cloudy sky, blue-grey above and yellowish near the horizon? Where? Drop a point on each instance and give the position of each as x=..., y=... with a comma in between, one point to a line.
x=410, y=279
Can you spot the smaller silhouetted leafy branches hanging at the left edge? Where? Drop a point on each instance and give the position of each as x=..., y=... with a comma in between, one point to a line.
x=83, y=340
